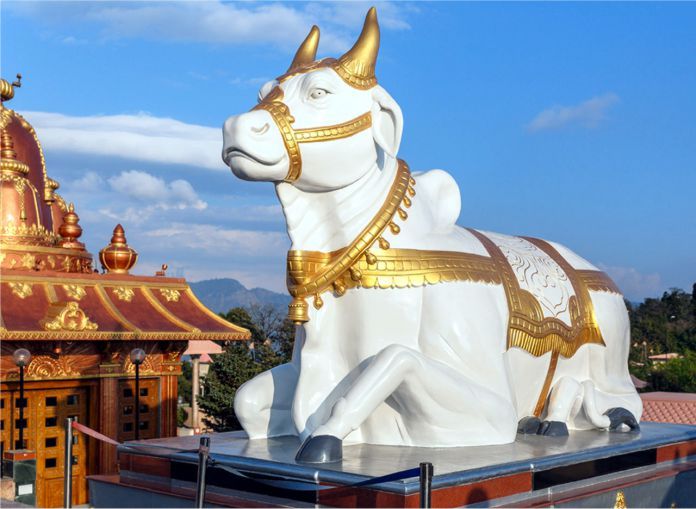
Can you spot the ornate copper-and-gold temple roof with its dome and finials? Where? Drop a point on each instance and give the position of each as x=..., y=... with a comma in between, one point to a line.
x=49, y=286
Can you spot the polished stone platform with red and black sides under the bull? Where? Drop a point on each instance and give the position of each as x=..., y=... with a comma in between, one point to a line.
x=534, y=470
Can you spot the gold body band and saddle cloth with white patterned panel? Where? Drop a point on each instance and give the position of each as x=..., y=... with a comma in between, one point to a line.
x=549, y=303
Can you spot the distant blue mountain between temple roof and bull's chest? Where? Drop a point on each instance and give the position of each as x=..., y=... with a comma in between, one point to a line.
x=221, y=295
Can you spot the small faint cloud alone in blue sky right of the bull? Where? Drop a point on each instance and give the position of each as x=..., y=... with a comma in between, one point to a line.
x=587, y=114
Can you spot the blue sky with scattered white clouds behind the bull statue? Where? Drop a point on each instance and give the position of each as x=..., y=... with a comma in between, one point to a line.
x=566, y=121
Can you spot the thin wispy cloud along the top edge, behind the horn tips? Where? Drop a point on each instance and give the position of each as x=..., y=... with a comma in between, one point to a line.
x=281, y=24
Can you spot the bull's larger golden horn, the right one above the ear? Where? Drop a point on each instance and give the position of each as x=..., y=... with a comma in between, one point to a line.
x=357, y=66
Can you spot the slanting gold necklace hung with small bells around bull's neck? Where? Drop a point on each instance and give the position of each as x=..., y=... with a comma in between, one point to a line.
x=332, y=269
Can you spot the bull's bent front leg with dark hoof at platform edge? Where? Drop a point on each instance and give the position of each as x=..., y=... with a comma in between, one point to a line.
x=425, y=385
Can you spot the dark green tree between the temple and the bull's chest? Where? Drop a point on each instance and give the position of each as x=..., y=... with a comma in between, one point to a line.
x=271, y=343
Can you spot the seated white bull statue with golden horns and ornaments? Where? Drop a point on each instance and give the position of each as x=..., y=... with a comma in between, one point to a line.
x=412, y=330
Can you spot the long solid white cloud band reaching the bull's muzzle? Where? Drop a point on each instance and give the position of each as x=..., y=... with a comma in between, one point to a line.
x=140, y=137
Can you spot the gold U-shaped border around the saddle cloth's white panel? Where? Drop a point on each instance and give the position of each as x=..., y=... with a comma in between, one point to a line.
x=527, y=327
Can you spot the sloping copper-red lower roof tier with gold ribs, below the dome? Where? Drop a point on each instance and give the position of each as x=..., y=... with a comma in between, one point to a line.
x=46, y=305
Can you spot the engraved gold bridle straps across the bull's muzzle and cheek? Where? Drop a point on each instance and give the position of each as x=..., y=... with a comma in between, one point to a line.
x=280, y=113
